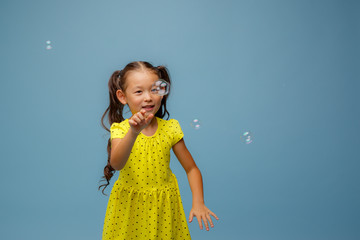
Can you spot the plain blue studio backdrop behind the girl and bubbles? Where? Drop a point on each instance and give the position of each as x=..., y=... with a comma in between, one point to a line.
x=288, y=71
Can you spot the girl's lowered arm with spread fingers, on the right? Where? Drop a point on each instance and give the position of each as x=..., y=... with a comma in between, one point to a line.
x=195, y=180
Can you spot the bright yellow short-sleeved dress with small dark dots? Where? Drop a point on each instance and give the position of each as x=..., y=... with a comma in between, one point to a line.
x=145, y=201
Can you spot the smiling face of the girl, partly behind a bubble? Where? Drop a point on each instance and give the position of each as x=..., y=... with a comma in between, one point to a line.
x=139, y=94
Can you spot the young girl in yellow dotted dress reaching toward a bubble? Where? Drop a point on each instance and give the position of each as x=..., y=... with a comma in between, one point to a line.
x=145, y=200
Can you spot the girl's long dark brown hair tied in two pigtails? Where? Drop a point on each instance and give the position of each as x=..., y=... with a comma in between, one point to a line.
x=118, y=81
